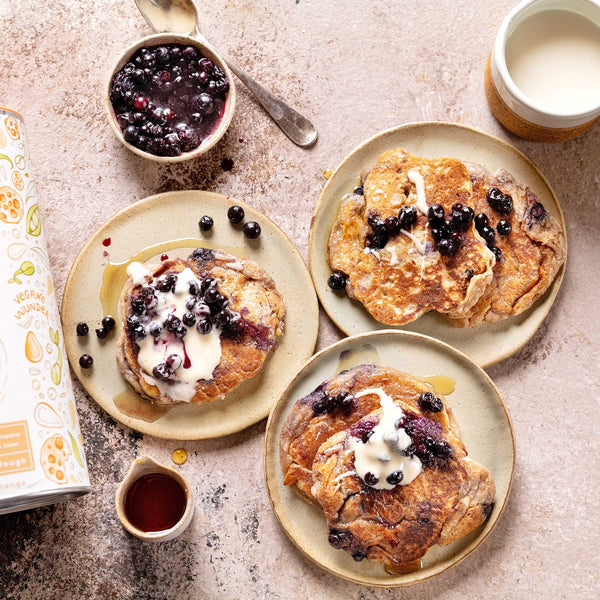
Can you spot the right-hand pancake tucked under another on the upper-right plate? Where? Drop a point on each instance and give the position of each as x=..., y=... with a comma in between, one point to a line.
x=529, y=245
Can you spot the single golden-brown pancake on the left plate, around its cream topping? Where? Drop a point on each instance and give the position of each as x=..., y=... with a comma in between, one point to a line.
x=252, y=297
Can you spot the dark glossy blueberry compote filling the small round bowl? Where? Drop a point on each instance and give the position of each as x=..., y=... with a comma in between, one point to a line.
x=168, y=99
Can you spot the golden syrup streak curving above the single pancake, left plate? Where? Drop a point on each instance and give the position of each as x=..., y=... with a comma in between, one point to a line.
x=115, y=274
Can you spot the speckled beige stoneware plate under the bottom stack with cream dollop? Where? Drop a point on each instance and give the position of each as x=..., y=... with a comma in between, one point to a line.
x=479, y=409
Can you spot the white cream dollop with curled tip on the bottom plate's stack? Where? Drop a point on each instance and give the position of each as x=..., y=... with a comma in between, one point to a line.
x=382, y=458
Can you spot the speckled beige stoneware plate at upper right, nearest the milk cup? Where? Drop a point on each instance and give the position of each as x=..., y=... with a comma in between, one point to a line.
x=485, y=344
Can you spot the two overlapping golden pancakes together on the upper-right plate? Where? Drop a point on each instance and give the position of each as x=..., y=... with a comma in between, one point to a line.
x=409, y=277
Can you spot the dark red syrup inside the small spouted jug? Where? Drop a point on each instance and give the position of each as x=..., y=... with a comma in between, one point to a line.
x=155, y=502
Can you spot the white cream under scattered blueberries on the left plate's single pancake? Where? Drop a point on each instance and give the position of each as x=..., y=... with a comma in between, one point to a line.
x=203, y=351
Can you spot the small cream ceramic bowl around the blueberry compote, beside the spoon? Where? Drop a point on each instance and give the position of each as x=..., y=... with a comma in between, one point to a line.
x=207, y=51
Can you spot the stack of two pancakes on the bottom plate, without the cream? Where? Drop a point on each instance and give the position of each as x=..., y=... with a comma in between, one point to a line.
x=397, y=527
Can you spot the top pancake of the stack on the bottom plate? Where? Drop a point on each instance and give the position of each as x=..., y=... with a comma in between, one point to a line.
x=449, y=497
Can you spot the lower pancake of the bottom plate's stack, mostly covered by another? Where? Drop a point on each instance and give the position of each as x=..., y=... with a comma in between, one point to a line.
x=333, y=406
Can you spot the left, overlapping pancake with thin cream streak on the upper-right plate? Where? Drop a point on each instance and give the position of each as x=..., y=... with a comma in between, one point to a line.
x=405, y=243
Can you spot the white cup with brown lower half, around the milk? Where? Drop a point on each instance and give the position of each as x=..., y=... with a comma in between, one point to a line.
x=510, y=105
